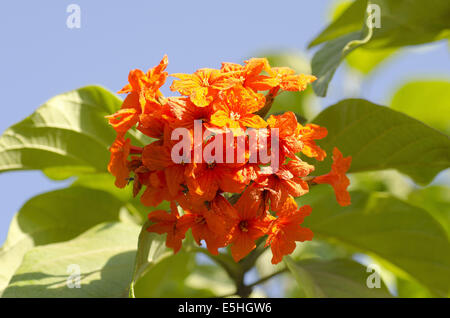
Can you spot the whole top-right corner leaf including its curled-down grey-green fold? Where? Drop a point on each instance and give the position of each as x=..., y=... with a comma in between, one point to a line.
x=403, y=22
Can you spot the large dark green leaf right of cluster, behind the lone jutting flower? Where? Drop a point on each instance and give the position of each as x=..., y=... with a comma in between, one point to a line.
x=379, y=138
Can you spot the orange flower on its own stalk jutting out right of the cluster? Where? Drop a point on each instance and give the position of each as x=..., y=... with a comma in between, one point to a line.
x=337, y=178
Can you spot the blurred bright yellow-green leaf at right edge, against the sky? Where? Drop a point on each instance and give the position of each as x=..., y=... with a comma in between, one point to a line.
x=428, y=101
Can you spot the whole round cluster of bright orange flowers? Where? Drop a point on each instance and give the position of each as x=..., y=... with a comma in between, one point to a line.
x=223, y=204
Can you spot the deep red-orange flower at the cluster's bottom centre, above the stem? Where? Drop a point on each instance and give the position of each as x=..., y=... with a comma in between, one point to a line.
x=249, y=224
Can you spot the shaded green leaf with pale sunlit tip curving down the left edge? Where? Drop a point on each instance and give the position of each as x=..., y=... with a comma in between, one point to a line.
x=54, y=217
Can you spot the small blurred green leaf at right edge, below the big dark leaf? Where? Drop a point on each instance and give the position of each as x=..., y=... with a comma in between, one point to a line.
x=436, y=200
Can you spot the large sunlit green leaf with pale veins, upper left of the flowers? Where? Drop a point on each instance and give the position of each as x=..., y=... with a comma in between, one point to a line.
x=68, y=135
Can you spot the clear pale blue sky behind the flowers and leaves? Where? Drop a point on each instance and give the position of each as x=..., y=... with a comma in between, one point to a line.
x=40, y=57
